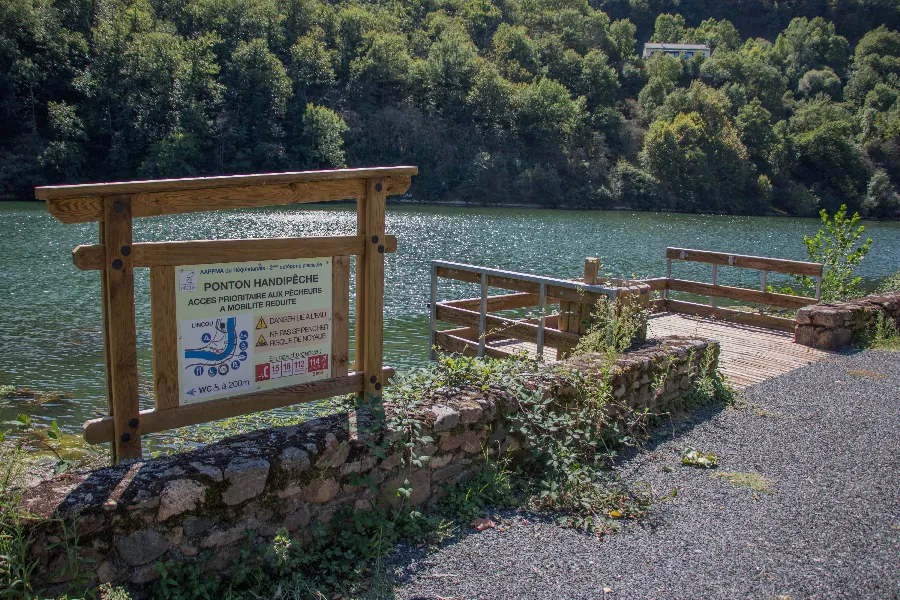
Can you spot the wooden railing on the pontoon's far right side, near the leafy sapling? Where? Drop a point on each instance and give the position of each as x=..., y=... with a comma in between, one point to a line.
x=759, y=297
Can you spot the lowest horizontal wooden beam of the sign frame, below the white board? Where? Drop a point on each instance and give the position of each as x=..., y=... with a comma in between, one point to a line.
x=98, y=431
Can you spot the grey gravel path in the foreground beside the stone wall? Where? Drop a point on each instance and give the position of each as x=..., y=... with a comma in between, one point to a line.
x=826, y=434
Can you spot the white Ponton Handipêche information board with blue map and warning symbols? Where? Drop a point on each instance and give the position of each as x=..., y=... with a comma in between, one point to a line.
x=251, y=326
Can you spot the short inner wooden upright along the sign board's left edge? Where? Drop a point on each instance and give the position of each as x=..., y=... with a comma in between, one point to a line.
x=164, y=329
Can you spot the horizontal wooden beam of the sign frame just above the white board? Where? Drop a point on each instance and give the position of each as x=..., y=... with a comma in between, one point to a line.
x=162, y=254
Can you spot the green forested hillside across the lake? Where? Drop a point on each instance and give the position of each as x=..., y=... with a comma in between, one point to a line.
x=497, y=101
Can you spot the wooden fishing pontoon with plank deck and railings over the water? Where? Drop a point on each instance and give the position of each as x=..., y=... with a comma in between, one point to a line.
x=550, y=312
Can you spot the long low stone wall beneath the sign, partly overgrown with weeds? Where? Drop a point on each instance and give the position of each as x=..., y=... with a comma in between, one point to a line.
x=205, y=504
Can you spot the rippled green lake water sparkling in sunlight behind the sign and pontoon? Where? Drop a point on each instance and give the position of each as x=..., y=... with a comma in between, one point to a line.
x=50, y=317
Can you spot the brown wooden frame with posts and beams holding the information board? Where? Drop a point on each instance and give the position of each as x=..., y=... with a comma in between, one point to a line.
x=115, y=205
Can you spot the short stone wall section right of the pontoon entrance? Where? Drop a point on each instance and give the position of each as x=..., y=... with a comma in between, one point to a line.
x=837, y=325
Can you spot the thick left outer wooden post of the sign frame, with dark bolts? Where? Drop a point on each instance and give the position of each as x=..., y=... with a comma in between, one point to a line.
x=121, y=327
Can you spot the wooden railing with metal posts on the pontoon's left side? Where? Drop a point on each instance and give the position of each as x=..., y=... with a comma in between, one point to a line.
x=477, y=326
